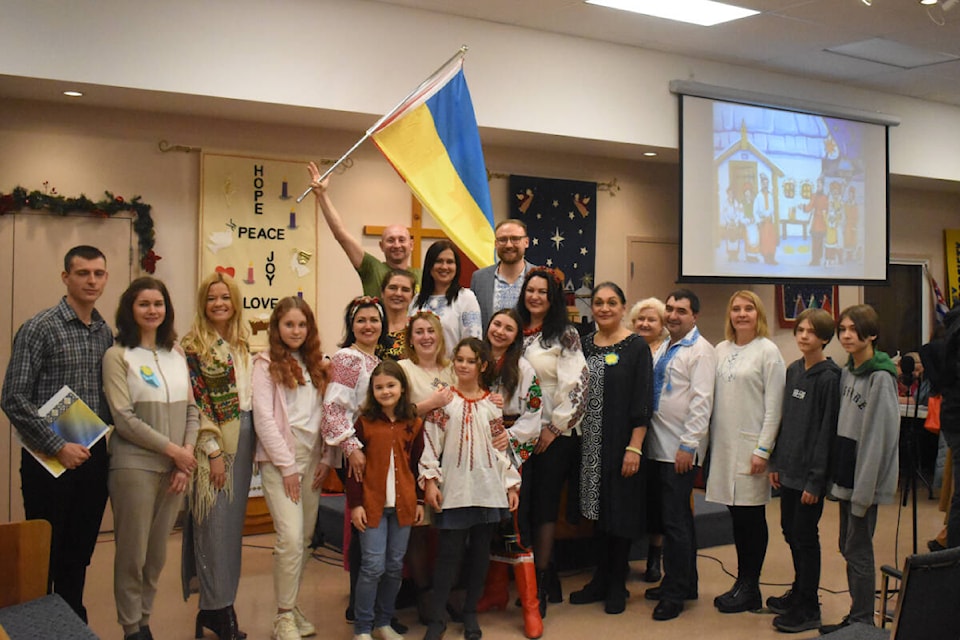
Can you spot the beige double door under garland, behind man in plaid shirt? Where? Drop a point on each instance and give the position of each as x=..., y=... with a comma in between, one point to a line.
x=33, y=246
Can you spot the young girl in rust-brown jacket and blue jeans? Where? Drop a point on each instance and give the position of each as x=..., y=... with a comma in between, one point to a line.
x=385, y=504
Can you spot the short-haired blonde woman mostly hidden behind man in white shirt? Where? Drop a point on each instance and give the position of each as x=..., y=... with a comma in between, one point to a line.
x=648, y=319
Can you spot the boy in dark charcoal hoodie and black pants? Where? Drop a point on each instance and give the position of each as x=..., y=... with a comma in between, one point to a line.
x=800, y=463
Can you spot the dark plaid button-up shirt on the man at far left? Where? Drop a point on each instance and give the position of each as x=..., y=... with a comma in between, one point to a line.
x=52, y=349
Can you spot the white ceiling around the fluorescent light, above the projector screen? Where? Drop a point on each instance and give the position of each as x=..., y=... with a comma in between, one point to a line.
x=788, y=36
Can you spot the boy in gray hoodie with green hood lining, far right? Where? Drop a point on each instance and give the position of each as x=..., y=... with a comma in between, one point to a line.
x=866, y=458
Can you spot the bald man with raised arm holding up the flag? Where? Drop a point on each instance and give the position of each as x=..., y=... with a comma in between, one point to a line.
x=395, y=242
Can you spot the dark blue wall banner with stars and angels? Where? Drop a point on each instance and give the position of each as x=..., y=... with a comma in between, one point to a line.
x=561, y=219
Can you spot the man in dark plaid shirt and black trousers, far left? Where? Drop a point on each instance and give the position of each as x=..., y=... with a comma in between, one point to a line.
x=63, y=345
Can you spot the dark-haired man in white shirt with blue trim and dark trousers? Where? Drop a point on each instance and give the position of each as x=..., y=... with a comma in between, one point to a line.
x=677, y=443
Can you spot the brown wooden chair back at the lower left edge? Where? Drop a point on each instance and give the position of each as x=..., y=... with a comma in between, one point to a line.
x=24, y=561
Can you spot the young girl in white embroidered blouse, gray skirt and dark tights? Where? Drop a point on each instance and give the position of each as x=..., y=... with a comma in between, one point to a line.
x=468, y=482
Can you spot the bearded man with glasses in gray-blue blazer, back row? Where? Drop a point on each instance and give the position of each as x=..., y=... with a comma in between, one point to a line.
x=498, y=286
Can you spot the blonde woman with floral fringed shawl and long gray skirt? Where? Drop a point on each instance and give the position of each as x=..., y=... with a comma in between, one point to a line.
x=219, y=361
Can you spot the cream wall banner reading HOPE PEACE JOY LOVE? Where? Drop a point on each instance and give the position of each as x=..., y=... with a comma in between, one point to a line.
x=251, y=228
